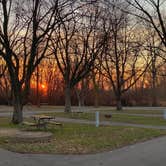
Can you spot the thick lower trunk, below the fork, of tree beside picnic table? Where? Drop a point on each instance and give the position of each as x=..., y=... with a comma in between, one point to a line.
x=18, y=107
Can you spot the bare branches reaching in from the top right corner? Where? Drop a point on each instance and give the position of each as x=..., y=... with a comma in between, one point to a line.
x=151, y=11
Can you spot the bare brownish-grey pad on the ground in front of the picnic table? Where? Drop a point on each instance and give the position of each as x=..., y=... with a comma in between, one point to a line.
x=16, y=135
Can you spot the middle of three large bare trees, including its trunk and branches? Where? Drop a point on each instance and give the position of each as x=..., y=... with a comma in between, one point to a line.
x=76, y=45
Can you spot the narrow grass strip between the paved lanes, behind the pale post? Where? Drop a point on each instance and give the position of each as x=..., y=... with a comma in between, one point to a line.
x=159, y=121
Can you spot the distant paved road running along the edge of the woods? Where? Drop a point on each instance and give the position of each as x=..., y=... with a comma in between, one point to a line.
x=6, y=111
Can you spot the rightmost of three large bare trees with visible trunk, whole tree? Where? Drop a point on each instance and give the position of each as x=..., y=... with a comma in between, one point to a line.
x=122, y=52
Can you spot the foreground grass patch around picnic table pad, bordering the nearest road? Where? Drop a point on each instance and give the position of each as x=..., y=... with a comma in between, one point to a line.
x=81, y=139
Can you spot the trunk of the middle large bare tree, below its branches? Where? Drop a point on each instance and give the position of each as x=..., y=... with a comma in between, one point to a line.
x=67, y=98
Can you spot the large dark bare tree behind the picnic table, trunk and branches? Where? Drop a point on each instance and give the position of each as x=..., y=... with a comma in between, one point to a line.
x=25, y=30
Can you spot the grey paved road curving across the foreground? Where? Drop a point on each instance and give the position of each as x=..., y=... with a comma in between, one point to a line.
x=150, y=153
